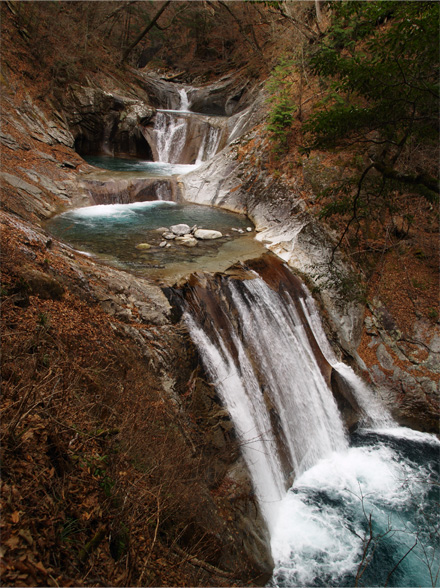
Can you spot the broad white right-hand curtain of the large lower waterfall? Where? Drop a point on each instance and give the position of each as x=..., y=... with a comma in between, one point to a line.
x=275, y=336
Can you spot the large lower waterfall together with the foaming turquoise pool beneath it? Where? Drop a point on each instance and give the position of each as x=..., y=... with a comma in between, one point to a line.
x=263, y=346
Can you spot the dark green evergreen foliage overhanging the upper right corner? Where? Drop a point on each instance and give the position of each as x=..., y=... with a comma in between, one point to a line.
x=379, y=62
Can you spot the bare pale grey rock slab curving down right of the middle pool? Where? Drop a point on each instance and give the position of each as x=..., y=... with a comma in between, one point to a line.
x=283, y=224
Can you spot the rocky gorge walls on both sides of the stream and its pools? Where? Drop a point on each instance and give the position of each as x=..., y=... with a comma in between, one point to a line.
x=217, y=530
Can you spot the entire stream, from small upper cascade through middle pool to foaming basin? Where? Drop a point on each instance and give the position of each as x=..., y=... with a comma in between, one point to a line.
x=342, y=508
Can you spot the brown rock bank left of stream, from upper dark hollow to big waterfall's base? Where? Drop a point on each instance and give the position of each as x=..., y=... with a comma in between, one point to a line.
x=138, y=312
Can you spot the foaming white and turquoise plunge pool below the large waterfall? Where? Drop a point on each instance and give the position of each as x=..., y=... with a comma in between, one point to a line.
x=323, y=520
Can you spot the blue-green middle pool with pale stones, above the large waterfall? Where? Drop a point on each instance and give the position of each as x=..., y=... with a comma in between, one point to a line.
x=111, y=232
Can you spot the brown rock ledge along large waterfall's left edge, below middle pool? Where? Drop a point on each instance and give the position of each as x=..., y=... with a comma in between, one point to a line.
x=141, y=315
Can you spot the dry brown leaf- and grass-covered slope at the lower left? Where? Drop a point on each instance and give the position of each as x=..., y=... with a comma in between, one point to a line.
x=98, y=479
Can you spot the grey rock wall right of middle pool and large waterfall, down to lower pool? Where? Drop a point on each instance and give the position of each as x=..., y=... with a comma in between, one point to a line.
x=405, y=379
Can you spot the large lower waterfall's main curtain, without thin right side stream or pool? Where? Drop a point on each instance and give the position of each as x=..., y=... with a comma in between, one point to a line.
x=270, y=373
